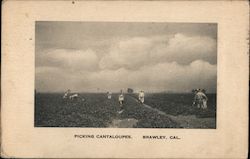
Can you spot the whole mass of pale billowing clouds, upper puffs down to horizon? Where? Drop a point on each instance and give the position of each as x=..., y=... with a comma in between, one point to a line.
x=175, y=63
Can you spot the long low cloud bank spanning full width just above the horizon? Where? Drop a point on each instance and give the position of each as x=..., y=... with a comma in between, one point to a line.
x=167, y=76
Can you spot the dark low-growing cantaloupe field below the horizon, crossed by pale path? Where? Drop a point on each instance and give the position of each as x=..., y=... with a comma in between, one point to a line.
x=160, y=110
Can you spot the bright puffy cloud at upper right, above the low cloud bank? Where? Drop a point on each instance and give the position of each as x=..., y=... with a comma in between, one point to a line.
x=185, y=49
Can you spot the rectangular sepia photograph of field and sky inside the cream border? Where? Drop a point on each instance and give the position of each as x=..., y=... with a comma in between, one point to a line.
x=125, y=74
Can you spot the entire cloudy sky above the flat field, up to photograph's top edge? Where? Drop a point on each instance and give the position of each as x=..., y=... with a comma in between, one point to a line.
x=108, y=56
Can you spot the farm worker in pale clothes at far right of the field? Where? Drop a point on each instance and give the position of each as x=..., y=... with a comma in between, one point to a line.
x=200, y=99
